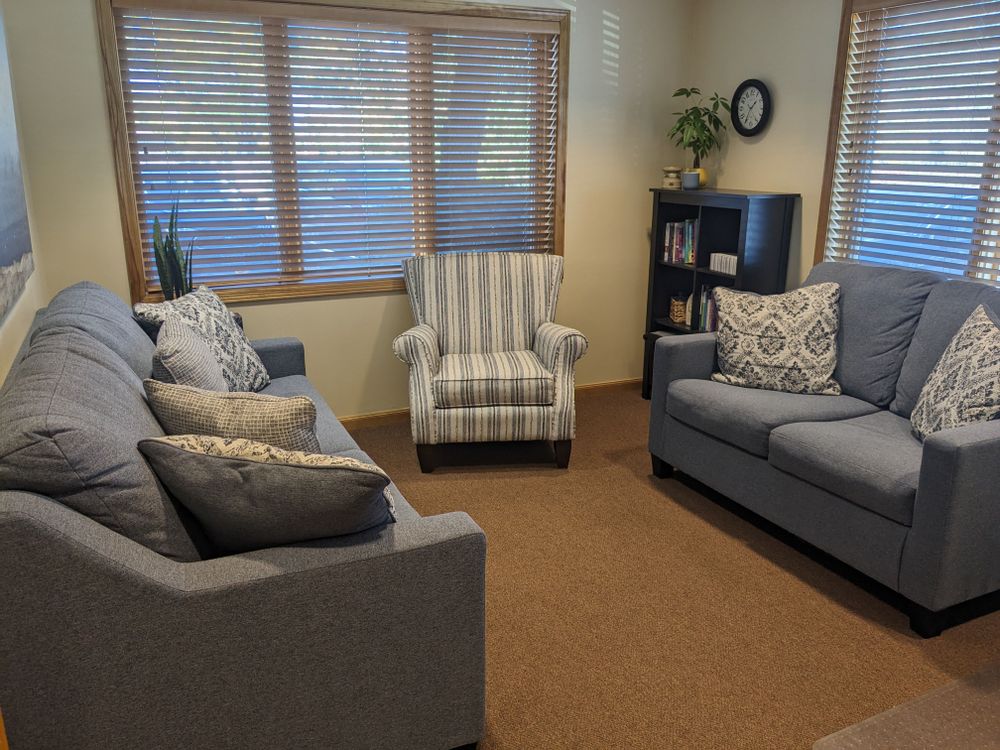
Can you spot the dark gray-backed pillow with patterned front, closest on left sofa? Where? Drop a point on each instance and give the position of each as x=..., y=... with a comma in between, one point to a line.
x=248, y=495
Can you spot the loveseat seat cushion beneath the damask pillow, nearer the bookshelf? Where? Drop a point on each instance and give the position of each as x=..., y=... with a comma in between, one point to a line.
x=744, y=417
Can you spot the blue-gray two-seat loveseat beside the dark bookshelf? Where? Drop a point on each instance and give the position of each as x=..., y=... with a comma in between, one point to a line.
x=845, y=473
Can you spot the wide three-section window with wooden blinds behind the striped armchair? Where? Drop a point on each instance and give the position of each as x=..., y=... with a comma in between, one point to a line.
x=312, y=147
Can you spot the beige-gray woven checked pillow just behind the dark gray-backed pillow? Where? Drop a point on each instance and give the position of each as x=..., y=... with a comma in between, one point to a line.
x=288, y=423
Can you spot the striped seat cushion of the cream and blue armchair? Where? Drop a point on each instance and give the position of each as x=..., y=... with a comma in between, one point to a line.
x=493, y=379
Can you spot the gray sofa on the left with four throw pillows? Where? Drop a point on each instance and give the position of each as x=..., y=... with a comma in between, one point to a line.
x=375, y=640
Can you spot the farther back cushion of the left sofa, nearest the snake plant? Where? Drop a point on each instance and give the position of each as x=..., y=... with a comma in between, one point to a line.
x=101, y=314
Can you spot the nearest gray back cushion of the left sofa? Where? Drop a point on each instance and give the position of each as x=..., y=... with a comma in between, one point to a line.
x=72, y=413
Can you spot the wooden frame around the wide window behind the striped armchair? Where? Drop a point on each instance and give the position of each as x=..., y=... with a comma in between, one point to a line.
x=115, y=94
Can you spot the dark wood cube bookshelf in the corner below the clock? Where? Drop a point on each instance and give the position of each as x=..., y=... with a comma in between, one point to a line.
x=754, y=226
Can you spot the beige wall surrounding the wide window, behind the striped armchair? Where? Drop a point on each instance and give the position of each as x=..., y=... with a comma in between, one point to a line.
x=625, y=57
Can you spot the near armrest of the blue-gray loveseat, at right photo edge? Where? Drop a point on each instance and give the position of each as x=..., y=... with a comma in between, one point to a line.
x=952, y=552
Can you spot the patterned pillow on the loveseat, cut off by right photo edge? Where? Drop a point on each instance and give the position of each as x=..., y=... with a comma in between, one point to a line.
x=964, y=386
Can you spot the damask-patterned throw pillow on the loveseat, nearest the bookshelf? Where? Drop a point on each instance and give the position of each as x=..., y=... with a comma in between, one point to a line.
x=782, y=342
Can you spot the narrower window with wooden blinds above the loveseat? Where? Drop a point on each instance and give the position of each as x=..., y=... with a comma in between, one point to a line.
x=914, y=164
